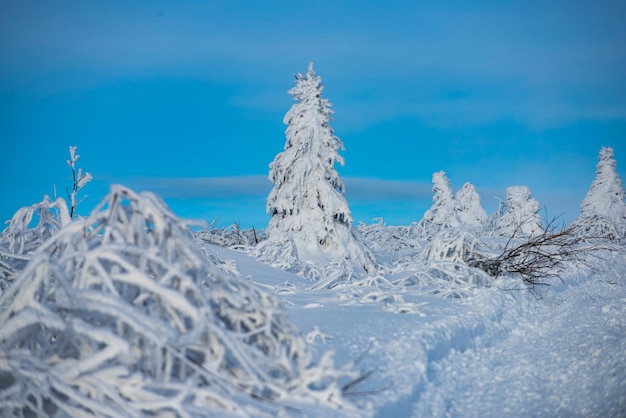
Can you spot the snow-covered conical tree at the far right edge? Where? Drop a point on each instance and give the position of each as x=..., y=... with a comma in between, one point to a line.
x=603, y=212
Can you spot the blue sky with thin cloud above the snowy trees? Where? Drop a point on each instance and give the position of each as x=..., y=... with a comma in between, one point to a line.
x=186, y=99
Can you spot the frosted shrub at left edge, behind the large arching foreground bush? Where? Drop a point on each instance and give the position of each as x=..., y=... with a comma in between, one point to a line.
x=29, y=227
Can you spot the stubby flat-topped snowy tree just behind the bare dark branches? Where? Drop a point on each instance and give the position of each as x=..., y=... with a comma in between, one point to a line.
x=522, y=214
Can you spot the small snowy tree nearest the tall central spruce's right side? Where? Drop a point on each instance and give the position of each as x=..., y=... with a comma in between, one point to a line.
x=443, y=211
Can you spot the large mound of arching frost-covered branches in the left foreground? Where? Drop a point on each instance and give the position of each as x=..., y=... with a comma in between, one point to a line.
x=122, y=314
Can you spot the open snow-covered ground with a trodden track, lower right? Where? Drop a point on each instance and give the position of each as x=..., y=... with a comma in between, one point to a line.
x=559, y=352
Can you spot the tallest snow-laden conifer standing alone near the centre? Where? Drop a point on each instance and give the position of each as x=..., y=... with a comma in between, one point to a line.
x=307, y=203
